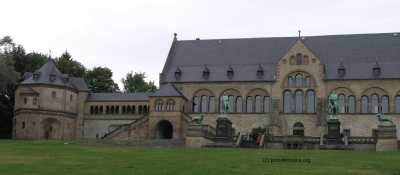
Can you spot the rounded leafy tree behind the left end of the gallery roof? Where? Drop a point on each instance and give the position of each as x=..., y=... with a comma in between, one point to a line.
x=100, y=80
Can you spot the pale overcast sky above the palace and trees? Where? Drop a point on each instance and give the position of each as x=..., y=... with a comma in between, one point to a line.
x=136, y=35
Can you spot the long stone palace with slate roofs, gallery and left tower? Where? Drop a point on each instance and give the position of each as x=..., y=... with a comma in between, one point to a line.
x=281, y=84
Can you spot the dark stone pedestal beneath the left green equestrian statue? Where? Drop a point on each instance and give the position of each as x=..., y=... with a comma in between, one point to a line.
x=223, y=137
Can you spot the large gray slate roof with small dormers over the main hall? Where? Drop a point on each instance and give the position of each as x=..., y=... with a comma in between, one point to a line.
x=358, y=53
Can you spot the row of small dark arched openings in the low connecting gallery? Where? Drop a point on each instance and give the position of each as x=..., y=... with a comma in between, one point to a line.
x=116, y=109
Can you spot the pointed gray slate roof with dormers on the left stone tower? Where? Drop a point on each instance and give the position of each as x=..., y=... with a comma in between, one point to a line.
x=43, y=77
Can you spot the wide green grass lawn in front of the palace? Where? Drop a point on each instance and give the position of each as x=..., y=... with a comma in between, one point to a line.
x=54, y=157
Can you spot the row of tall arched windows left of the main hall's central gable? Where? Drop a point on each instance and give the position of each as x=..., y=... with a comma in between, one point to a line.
x=255, y=104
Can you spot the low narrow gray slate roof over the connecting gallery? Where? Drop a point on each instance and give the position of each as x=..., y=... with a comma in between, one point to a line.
x=118, y=97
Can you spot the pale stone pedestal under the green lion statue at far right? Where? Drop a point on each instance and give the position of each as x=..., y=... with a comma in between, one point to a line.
x=387, y=139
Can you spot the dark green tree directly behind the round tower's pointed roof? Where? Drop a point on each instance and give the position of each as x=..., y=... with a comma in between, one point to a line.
x=67, y=65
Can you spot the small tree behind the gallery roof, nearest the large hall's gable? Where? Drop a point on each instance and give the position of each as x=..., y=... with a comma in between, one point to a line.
x=135, y=83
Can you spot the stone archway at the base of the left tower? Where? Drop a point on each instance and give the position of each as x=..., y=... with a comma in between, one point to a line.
x=51, y=128
